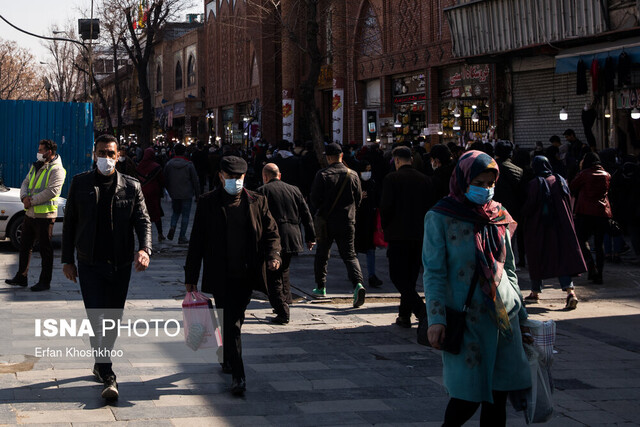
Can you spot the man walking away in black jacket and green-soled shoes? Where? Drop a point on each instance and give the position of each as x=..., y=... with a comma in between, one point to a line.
x=335, y=195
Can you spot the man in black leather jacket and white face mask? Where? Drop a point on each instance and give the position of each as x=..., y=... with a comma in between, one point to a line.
x=104, y=208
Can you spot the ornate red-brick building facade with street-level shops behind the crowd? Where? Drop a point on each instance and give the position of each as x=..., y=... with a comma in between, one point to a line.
x=381, y=78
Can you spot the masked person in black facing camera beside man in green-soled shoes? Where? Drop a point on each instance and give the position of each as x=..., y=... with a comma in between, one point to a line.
x=366, y=221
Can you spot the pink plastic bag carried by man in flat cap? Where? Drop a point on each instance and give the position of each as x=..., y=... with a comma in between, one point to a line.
x=201, y=328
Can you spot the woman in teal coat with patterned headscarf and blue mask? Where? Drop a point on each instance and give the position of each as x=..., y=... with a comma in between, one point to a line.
x=465, y=233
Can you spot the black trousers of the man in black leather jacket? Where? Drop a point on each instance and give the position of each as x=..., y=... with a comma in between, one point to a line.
x=104, y=291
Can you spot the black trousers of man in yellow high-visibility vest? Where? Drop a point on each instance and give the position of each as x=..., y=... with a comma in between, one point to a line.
x=37, y=229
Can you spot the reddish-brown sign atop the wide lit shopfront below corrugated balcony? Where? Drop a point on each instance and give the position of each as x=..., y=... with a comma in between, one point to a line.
x=466, y=81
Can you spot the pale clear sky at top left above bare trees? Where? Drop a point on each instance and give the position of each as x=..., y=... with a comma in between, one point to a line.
x=37, y=16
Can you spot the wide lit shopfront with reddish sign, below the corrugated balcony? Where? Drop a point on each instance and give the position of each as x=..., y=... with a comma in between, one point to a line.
x=466, y=103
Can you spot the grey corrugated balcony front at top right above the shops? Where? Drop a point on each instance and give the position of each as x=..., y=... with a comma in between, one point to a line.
x=493, y=26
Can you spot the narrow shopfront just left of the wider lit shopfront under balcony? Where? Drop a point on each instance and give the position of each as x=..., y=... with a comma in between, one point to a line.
x=409, y=107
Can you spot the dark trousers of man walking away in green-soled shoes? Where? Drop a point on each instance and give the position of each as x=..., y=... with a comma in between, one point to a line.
x=344, y=236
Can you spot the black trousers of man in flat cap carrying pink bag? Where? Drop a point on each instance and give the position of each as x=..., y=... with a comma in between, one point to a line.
x=234, y=304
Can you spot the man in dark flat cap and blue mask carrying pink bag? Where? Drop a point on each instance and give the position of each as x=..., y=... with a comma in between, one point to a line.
x=236, y=239
